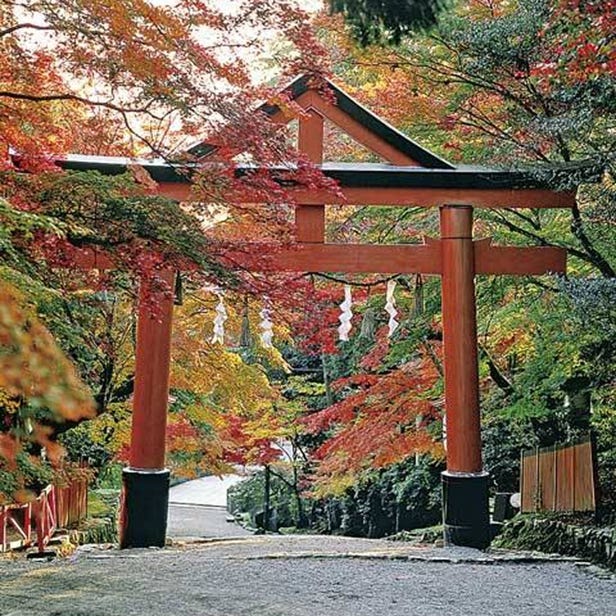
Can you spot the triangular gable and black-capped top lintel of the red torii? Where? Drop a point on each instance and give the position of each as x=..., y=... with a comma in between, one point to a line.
x=412, y=176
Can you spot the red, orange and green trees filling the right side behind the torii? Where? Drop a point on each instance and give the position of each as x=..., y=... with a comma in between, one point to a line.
x=526, y=84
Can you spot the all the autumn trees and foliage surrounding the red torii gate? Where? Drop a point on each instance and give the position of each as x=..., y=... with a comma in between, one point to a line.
x=500, y=83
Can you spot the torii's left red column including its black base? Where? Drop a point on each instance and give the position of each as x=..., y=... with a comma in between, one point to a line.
x=145, y=491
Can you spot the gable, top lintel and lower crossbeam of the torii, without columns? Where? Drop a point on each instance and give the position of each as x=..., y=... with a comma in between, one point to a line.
x=413, y=176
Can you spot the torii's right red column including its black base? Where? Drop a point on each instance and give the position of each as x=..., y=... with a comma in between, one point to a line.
x=465, y=485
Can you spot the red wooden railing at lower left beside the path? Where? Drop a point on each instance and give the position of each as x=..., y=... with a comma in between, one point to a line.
x=55, y=507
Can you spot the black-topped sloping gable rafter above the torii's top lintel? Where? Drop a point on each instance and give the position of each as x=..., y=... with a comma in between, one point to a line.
x=323, y=100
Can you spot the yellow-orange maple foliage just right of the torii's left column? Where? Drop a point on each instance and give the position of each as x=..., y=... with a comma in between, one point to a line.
x=230, y=397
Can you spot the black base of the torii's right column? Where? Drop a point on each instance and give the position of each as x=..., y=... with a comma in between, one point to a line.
x=466, y=519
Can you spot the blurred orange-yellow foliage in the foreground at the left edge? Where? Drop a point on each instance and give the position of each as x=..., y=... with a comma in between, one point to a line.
x=38, y=387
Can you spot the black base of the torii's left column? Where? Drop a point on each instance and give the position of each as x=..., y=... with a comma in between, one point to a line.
x=144, y=504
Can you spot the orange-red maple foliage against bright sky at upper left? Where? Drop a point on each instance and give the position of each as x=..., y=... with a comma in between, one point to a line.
x=170, y=74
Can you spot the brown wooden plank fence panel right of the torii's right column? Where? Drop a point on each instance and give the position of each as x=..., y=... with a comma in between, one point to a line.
x=558, y=478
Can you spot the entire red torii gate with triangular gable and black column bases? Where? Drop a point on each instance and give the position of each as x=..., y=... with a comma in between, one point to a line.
x=412, y=176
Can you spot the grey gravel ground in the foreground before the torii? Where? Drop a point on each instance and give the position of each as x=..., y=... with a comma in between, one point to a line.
x=299, y=576
